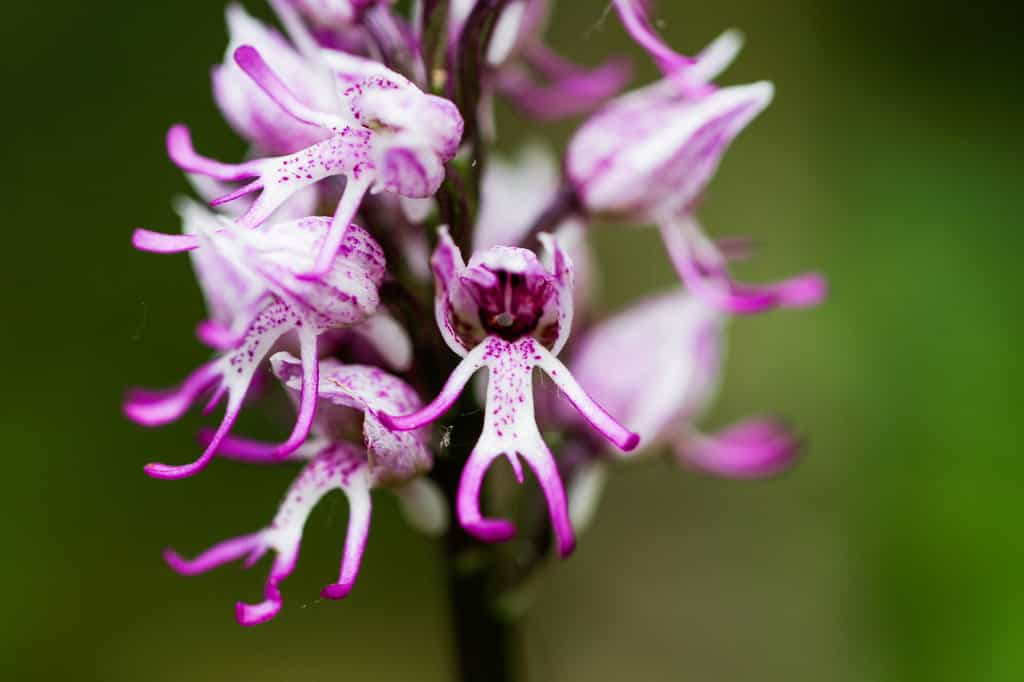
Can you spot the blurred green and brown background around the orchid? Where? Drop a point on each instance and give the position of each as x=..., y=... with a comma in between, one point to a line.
x=890, y=161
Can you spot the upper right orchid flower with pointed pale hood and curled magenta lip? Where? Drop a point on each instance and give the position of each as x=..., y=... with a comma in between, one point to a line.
x=650, y=156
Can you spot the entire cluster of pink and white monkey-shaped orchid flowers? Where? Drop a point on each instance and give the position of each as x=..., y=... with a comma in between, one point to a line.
x=368, y=191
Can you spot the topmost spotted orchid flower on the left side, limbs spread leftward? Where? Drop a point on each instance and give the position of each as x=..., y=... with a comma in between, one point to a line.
x=388, y=136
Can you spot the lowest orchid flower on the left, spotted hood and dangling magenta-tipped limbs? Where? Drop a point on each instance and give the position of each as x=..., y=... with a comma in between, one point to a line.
x=348, y=395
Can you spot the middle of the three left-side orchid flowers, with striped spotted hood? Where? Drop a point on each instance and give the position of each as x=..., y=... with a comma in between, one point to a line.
x=258, y=297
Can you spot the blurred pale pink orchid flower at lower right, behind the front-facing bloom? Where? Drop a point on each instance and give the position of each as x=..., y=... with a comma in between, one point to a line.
x=680, y=368
